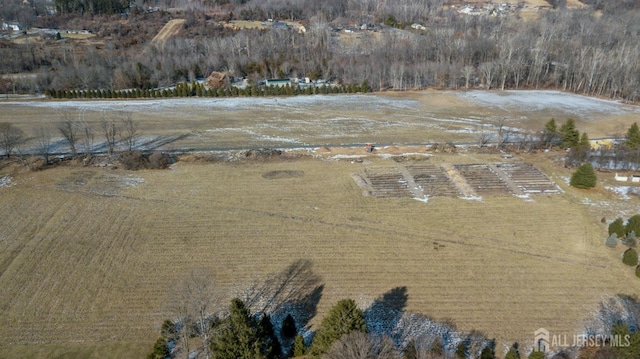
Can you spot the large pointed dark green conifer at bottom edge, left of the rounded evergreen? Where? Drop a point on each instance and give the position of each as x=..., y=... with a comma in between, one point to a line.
x=240, y=336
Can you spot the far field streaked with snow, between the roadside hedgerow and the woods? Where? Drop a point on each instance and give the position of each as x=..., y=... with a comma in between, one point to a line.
x=389, y=118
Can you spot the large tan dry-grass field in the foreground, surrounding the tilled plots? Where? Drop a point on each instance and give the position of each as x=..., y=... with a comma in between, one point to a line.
x=79, y=267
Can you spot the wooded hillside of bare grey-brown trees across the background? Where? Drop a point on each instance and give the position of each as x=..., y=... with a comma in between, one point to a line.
x=591, y=50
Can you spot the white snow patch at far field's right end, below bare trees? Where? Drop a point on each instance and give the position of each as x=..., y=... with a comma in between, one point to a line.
x=587, y=107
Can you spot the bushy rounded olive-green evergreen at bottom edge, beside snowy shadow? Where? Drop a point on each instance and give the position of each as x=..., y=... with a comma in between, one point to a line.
x=343, y=318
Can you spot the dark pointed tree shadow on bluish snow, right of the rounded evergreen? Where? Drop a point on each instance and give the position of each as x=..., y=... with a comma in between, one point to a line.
x=385, y=312
